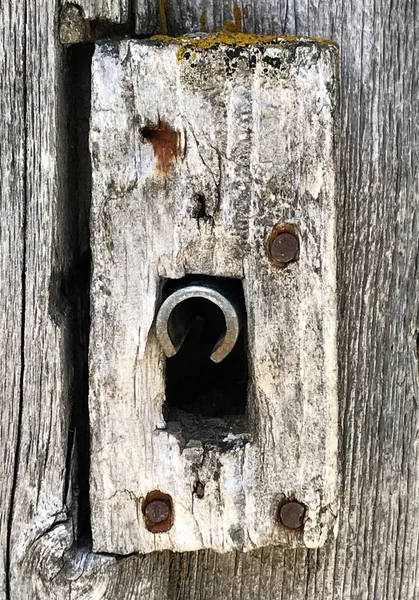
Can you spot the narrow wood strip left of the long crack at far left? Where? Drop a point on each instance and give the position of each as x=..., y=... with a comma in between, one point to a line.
x=12, y=222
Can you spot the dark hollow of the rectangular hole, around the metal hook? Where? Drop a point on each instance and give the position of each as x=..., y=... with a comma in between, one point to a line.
x=198, y=391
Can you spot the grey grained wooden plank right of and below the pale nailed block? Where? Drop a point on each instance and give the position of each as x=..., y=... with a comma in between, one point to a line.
x=376, y=552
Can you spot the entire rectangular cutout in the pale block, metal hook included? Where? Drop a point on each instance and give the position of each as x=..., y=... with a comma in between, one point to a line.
x=206, y=394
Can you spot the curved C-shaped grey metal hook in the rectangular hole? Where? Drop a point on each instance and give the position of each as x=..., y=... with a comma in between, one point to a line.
x=174, y=319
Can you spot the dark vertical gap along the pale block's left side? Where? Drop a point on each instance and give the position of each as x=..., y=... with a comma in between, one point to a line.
x=79, y=89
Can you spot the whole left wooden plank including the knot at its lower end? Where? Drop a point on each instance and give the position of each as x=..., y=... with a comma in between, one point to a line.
x=44, y=561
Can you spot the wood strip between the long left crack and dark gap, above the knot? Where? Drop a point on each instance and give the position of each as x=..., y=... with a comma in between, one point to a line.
x=40, y=477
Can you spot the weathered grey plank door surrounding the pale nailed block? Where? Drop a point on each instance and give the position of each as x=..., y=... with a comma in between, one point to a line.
x=45, y=169
